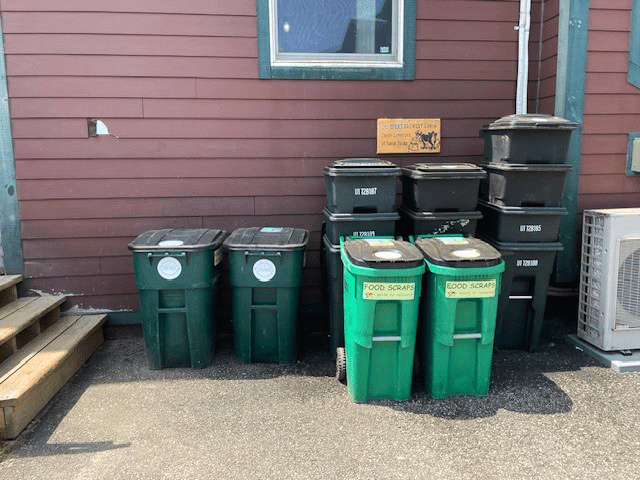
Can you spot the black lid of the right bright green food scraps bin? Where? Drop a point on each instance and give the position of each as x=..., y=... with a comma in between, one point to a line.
x=458, y=252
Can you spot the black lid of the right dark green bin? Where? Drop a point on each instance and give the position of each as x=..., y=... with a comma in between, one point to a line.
x=267, y=238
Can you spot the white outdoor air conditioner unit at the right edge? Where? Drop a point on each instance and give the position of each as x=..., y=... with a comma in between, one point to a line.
x=609, y=307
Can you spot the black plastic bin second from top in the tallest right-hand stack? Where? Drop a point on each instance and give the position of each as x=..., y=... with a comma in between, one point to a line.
x=524, y=185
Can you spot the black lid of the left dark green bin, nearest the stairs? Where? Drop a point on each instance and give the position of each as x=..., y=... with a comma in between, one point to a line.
x=174, y=239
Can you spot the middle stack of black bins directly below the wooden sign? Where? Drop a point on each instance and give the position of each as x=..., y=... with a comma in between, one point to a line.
x=440, y=198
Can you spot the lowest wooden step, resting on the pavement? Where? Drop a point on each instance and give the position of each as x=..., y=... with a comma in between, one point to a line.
x=34, y=374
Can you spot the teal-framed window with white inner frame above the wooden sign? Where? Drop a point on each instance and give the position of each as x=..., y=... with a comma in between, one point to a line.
x=336, y=39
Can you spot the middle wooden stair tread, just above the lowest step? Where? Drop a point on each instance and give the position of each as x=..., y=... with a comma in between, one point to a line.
x=21, y=313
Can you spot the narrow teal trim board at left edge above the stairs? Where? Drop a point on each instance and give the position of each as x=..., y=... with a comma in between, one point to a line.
x=10, y=242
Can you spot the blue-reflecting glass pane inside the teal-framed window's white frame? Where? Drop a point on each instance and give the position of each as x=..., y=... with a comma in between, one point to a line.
x=335, y=26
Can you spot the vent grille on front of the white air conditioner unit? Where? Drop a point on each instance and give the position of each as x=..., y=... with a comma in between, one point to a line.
x=628, y=291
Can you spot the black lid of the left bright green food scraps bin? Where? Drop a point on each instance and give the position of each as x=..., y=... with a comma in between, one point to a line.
x=382, y=253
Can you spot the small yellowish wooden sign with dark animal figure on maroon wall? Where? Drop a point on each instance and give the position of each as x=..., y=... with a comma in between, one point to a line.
x=408, y=135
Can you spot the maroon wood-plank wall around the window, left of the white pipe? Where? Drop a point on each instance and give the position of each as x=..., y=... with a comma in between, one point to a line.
x=198, y=140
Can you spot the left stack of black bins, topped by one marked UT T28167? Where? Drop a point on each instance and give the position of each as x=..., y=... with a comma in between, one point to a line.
x=361, y=202
